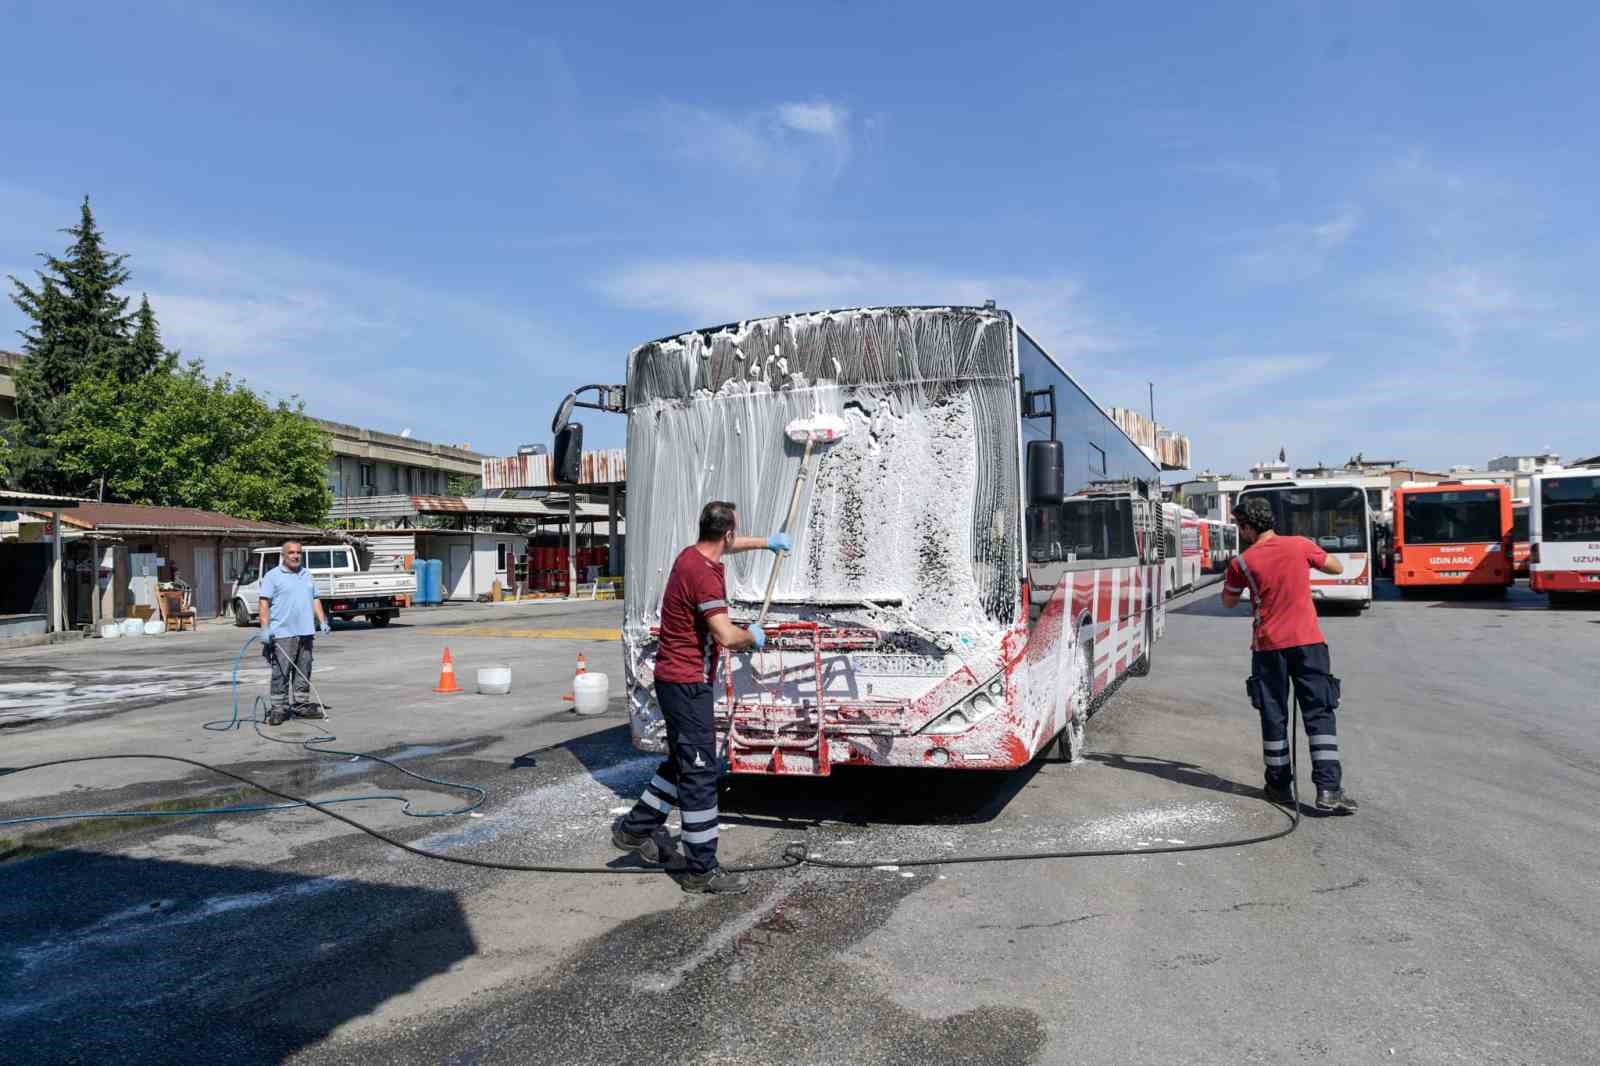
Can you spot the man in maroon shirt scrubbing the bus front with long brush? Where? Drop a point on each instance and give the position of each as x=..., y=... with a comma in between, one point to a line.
x=694, y=627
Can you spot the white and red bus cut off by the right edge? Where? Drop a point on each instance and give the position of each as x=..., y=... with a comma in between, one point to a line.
x=1564, y=535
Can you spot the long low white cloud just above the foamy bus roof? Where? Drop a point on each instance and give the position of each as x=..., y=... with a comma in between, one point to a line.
x=713, y=291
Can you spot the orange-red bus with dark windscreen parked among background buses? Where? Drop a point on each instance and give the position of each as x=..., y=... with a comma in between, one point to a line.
x=1454, y=535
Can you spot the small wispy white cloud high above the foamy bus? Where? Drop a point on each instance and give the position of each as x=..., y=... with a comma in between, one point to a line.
x=791, y=142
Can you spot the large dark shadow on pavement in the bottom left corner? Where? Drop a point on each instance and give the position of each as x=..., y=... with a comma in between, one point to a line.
x=119, y=960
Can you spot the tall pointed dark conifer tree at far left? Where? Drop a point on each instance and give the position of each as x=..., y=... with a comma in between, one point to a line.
x=81, y=327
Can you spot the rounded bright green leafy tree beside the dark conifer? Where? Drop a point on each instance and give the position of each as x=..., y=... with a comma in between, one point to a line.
x=180, y=439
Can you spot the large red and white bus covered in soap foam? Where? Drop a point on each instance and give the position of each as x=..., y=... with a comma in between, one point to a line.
x=975, y=563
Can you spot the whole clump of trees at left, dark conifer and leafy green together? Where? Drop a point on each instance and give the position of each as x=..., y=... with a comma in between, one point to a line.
x=103, y=407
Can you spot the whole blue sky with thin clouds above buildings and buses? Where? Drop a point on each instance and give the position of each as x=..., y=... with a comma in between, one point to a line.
x=1319, y=226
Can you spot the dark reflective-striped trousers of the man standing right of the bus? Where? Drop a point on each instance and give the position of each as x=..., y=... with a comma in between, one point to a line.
x=1305, y=667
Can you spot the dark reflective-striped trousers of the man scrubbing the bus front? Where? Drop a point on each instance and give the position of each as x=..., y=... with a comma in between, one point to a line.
x=689, y=777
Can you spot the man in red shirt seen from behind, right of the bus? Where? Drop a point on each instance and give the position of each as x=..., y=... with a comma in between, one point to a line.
x=1287, y=649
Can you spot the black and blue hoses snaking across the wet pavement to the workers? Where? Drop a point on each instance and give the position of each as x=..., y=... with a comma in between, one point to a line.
x=796, y=852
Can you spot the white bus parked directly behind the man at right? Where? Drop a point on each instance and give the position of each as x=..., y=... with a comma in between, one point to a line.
x=1337, y=515
